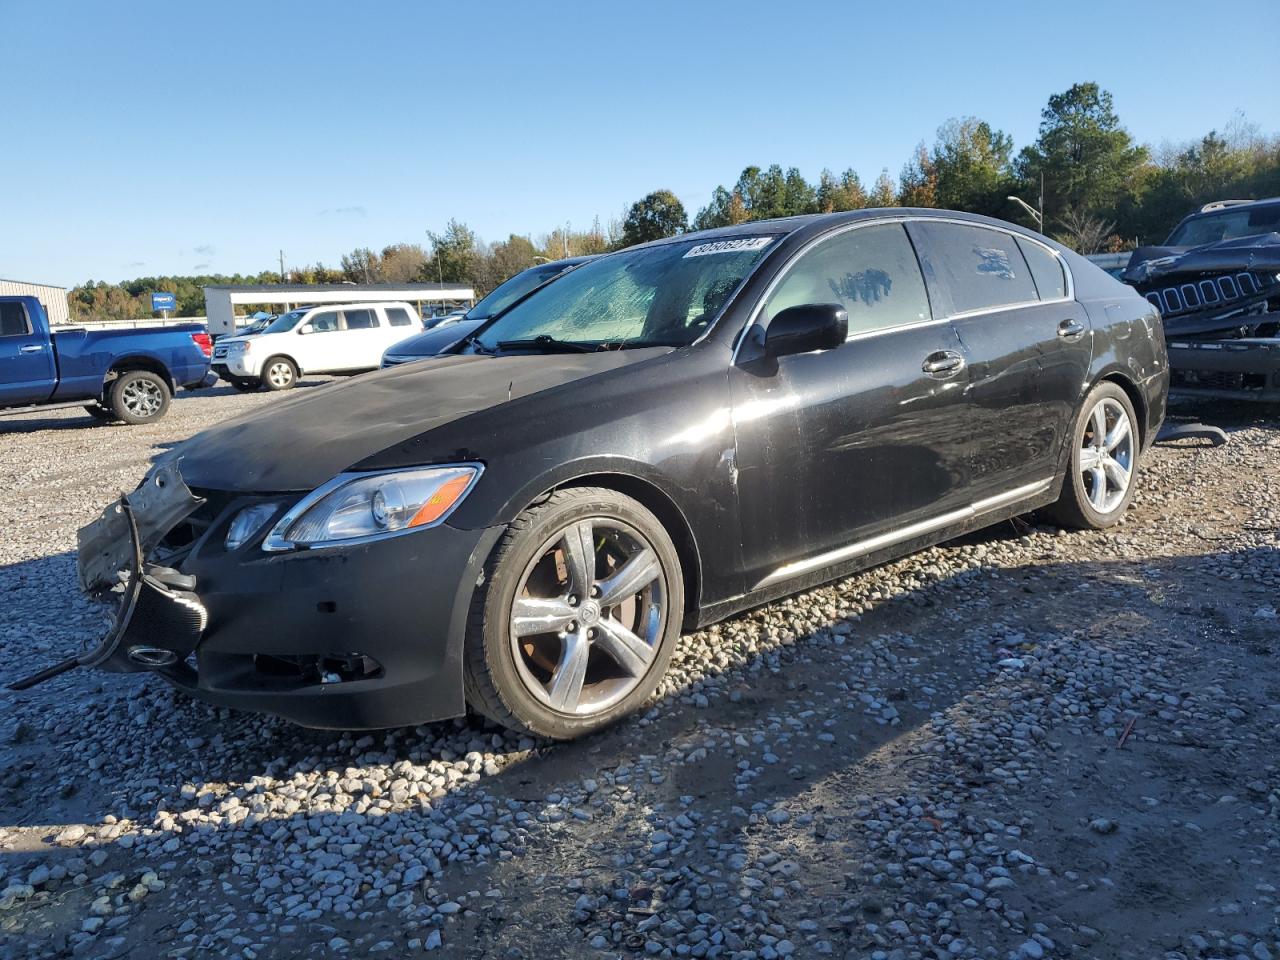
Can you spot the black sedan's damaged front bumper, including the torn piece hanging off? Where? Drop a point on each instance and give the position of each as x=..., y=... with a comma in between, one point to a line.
x=322, y=638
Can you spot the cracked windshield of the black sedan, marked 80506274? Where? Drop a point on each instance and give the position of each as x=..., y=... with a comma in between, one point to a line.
x=662, y=295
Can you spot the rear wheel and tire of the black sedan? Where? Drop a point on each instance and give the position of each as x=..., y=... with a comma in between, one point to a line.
x=1103, y=470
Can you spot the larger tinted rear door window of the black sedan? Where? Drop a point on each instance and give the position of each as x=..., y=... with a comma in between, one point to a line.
x=975, y=268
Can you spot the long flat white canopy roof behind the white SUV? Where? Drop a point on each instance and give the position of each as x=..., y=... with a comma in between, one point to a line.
x=221, y=301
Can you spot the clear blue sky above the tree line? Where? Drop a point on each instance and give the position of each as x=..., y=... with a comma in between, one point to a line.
x=190, y=138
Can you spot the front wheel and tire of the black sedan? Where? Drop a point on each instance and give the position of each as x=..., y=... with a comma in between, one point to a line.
x=578, y=616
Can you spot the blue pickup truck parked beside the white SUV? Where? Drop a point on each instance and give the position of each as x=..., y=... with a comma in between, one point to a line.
x=127, y=376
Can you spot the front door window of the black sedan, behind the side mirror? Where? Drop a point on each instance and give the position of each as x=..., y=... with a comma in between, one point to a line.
x=871, y=272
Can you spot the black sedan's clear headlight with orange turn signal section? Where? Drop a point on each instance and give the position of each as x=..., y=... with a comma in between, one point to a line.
x=355, y=508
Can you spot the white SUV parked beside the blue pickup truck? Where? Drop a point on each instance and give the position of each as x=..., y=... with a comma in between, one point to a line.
x=327, y=340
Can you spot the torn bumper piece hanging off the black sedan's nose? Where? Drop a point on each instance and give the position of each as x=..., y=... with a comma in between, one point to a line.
x=157, y=618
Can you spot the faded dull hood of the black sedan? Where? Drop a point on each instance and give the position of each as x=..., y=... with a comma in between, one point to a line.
x=307, y=440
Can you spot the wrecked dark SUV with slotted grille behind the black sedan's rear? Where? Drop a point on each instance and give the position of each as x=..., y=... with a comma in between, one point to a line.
x=1217, y=284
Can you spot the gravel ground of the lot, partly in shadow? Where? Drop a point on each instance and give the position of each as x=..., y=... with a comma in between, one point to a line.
x=1023, y=744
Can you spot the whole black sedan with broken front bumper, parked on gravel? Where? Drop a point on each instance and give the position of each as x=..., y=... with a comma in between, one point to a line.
x=664, y=437
